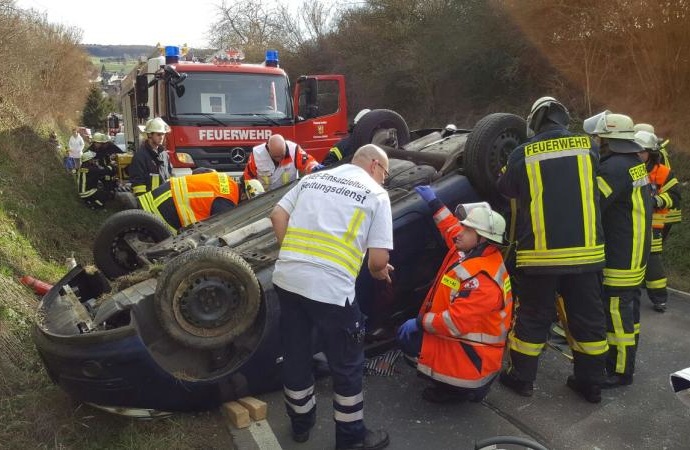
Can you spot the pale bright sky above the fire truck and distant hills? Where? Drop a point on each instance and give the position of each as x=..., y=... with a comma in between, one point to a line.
x=132, y=22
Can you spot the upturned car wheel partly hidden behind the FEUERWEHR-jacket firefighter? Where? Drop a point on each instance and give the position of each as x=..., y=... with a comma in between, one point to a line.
x=488, y=146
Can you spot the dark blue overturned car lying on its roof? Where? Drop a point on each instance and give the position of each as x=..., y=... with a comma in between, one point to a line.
x=187, y=321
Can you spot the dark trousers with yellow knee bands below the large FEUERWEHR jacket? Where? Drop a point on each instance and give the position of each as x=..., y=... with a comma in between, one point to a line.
x=586, y=322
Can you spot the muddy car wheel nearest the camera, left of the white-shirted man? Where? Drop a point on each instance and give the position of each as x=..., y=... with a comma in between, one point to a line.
x=207, y=297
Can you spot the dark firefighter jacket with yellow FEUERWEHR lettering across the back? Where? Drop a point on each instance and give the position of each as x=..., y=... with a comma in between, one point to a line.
x=553, y=178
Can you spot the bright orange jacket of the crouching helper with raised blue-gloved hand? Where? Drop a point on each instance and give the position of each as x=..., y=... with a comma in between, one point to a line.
x=466, y=315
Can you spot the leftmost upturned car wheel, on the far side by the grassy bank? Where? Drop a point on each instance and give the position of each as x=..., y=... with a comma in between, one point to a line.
x=122, y=237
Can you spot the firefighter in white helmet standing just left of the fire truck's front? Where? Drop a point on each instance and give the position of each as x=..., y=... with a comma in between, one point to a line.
x=150, y=165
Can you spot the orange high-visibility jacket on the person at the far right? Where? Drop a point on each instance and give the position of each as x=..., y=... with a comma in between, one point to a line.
x=666, y=193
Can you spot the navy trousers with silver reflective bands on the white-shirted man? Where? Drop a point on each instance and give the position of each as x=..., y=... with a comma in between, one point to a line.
x=341, y=334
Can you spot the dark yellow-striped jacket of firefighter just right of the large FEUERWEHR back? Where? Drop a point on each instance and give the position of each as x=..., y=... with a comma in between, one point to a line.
x=626, y=207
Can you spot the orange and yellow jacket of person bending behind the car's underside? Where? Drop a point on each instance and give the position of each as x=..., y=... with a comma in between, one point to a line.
x=194, y=194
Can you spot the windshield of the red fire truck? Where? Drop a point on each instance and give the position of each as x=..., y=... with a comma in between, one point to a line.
x=227, y=96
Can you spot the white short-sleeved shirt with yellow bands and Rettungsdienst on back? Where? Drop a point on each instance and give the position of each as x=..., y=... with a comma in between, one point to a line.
x=335, y=216
